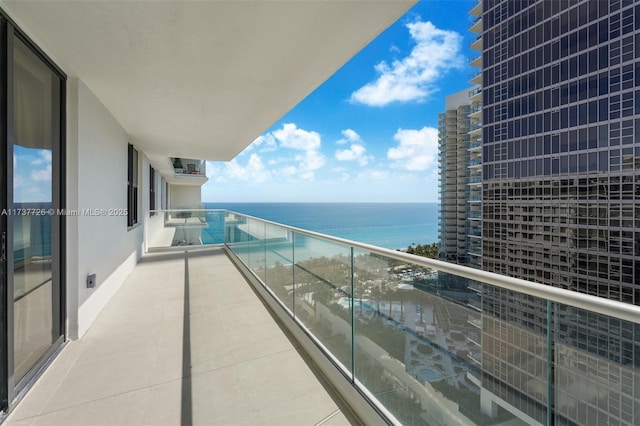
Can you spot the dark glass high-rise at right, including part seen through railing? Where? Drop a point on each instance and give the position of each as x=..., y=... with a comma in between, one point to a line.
x=561, y=204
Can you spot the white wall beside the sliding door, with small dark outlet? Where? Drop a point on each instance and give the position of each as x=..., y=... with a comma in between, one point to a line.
x=97, y=179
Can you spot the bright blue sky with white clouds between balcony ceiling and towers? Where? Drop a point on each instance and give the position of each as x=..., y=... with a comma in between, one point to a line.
x=369, y=133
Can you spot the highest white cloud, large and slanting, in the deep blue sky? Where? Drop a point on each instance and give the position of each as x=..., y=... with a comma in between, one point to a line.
x=413, y=78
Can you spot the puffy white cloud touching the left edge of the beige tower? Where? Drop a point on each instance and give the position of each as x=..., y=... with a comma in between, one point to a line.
x=416, y=150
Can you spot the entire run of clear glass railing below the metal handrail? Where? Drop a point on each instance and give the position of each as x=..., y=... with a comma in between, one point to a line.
x=437, y=348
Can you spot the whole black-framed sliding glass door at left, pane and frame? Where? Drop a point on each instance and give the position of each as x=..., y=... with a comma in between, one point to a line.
x=31, y=197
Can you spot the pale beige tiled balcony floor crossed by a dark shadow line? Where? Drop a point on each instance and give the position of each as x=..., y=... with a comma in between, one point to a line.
x=184, y=341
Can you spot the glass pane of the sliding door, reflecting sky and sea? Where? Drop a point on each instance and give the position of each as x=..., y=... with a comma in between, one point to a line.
x=36, y=131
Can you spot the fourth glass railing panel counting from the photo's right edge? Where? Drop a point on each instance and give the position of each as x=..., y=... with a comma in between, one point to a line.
x=279, y=263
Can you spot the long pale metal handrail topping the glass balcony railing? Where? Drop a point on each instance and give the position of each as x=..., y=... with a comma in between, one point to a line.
x=588, y=302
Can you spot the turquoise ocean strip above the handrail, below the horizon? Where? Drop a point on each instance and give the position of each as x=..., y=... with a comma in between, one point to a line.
x=389, y=225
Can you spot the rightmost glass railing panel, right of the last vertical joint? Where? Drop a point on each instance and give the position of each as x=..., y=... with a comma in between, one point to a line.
x=597, y=368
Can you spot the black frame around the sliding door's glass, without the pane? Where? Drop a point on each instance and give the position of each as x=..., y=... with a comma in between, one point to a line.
x=10, y=387
